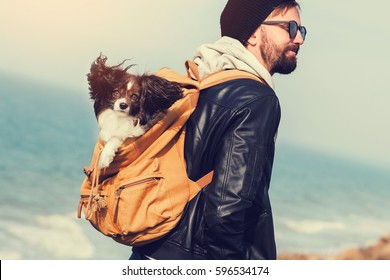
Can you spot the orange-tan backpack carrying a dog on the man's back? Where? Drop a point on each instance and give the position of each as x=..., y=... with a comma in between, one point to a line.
x=141, y=196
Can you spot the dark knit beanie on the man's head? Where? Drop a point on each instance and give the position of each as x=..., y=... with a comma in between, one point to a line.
x=240, y=18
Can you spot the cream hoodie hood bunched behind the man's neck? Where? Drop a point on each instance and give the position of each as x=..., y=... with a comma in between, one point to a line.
x=228, y=53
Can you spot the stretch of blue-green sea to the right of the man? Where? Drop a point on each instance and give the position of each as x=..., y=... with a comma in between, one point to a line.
x=325, y=204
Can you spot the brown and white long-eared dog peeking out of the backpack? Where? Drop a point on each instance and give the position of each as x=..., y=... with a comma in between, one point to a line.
x=126, y=105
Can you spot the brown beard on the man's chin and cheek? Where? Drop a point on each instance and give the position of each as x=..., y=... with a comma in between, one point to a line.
x=276, y=58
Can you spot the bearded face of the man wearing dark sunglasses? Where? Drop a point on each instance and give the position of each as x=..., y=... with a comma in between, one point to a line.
x=279, y=51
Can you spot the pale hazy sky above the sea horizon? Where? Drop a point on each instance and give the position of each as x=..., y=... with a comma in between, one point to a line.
x=337, y=101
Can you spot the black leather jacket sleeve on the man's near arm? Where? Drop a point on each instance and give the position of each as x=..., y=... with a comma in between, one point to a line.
x=242, y=157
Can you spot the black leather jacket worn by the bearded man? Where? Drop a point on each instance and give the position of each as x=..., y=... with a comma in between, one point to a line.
x=232, y=131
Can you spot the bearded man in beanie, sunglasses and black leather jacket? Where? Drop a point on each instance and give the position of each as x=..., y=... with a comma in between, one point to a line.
x=232, y=132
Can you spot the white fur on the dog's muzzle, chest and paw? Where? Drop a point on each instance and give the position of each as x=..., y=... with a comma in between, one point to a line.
x=115, y=126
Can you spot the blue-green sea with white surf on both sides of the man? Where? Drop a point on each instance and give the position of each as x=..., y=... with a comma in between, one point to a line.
x=322, y=203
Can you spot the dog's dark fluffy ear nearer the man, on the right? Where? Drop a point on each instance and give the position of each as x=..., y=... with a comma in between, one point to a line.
x=158, y=94
